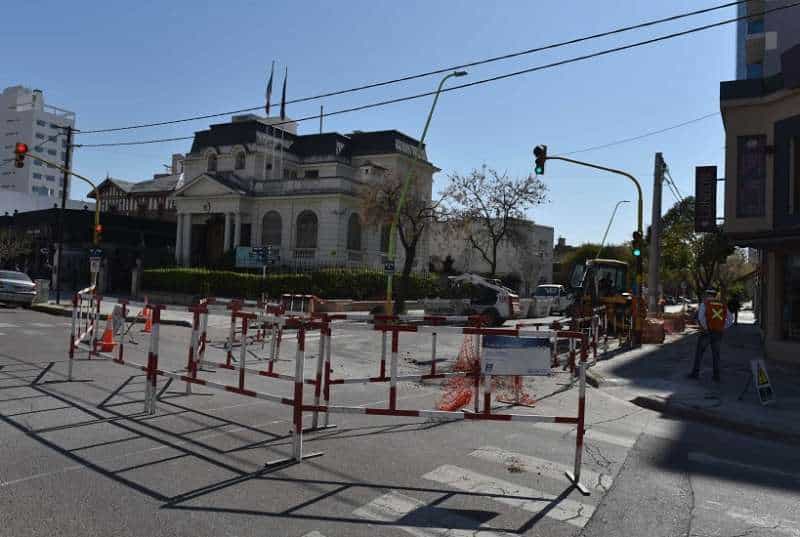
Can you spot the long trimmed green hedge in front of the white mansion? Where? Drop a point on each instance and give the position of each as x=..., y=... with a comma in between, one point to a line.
x=325, y=283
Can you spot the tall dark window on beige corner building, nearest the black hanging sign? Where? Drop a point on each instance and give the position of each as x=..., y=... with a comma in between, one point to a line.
x=751, y=173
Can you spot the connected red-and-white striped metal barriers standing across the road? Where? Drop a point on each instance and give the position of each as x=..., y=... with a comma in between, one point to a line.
x=322, y=381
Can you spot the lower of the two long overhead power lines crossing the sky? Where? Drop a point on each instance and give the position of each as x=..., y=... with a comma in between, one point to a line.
x=496, y=78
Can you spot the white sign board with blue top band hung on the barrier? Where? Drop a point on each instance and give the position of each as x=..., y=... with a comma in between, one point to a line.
x=511, y=355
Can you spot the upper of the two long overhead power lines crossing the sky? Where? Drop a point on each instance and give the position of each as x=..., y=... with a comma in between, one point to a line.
x=408, y=78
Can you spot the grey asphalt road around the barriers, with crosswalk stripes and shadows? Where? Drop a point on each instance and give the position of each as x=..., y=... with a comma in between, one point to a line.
x=80, y=459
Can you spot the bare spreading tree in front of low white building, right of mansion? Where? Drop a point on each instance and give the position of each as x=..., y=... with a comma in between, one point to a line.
x=487, y=204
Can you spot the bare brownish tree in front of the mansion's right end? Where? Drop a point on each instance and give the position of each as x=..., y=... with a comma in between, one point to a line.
x=379, y=201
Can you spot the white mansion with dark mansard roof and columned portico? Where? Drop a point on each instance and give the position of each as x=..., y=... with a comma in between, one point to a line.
x=255, y=182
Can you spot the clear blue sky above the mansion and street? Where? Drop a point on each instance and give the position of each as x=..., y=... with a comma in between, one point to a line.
x=116, y=63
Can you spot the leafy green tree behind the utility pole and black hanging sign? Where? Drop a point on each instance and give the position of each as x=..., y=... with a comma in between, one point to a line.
x=690, y=256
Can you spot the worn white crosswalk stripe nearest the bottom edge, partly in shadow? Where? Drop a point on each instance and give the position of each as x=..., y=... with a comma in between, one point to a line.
x=393, y=507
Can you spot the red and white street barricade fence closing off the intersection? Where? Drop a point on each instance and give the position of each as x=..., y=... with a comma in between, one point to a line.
x=515, y=351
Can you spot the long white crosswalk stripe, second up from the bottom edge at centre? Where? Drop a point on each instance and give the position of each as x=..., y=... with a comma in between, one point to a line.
x=529, y=499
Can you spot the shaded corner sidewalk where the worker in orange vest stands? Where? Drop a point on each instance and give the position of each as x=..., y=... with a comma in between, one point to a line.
x=655, y=377
